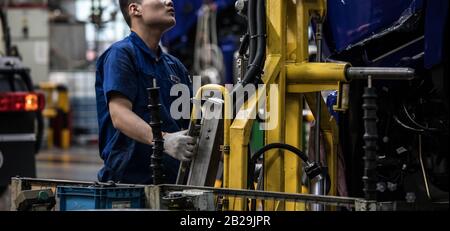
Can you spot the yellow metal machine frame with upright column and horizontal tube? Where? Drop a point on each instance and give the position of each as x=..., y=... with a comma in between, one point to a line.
x=297, y=79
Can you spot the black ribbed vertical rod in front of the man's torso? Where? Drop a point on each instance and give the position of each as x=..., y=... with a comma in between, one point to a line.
x=158, y=141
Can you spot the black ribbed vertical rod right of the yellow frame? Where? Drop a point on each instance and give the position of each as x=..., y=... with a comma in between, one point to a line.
x=370, y=139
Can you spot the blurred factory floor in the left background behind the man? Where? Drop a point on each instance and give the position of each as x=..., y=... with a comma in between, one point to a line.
x=79, y=163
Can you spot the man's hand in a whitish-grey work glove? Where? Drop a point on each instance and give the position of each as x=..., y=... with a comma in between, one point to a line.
x=179, y=145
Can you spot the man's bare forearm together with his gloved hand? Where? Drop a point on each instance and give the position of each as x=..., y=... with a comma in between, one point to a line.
x=178, y=145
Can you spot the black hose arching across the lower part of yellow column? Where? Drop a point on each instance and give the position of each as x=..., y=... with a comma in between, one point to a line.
x=312, y=169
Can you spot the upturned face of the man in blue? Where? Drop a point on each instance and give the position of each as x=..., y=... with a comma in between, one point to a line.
x=158, y=13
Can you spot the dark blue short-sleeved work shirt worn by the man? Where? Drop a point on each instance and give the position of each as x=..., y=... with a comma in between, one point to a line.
x=128, y=68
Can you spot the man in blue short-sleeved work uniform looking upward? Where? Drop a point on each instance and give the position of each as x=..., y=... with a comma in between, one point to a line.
x=124, y=72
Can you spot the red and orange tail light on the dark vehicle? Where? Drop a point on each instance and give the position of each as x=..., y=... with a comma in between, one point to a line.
x=21, y=102
